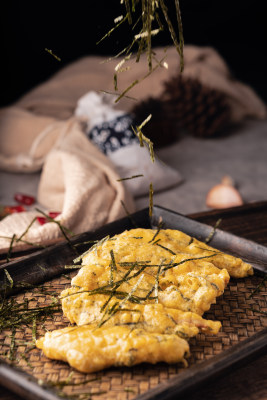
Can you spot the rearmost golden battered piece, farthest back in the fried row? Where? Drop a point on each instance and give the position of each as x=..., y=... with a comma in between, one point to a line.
x=172, y=245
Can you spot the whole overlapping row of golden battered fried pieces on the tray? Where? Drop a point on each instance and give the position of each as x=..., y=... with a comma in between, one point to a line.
x=138, y=297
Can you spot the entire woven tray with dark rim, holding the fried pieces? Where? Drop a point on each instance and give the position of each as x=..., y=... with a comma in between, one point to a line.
x=240, y=313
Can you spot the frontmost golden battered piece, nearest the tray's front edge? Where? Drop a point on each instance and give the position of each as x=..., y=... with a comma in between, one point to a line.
x=90, y=350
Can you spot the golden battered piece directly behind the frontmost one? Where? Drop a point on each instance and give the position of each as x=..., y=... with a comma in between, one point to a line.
x=82, y=309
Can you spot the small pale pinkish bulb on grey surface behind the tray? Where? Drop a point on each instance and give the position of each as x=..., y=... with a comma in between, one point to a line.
x=224, y=195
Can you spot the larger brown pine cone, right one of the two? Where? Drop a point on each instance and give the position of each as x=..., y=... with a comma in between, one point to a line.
x=202, y=111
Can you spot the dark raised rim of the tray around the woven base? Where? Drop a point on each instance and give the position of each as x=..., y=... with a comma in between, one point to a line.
x=49, y=263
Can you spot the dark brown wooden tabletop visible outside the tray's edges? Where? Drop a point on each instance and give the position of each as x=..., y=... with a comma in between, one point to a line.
x=248, y=382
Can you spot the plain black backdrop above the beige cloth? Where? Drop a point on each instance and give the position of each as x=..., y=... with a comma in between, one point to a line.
x=237, y=29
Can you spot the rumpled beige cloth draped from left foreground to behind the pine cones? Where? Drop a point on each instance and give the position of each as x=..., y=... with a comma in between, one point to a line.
x=39, y=131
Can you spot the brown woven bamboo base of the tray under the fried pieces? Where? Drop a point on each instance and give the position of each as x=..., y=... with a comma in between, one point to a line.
x=242, y=310
